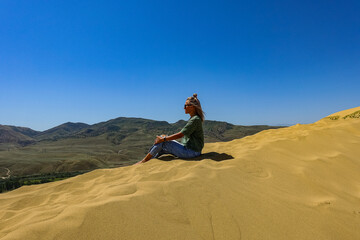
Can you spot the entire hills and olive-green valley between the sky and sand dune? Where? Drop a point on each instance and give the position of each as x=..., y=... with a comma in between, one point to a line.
x=77, y=146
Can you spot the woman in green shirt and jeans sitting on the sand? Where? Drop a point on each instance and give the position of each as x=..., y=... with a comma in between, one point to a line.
x=192, y=135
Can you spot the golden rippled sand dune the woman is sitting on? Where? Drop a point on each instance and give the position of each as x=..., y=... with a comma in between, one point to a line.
x=300, y=182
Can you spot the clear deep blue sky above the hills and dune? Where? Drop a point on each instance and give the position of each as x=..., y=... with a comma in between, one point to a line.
x=251, y=62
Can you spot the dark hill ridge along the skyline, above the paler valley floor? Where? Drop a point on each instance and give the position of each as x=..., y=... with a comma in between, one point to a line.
x=120, y=128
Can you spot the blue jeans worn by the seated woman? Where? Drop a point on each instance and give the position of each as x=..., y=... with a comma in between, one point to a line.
x=172, y=147
